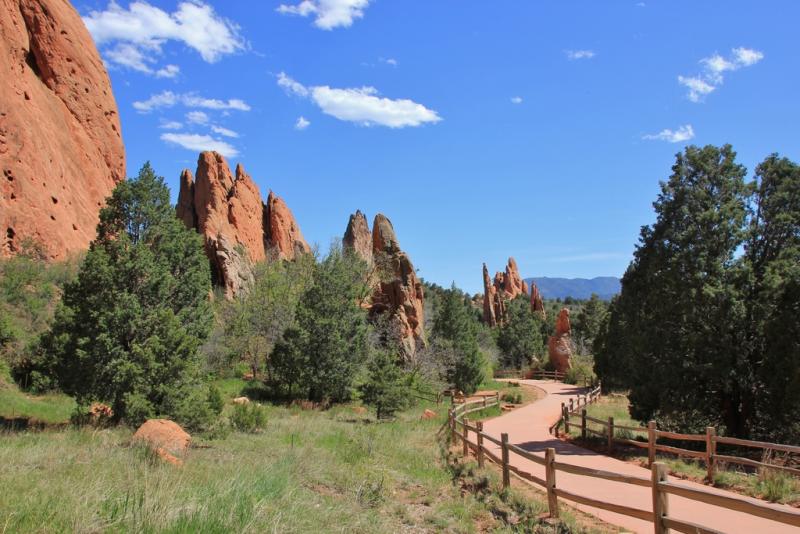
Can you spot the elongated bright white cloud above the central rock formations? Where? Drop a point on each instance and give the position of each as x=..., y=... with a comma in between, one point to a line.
x=362, y=105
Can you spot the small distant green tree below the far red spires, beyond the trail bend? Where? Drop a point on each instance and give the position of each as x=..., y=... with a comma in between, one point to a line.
x=520, y=338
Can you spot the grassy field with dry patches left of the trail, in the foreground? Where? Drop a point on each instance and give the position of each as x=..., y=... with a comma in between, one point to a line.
x=308, y=471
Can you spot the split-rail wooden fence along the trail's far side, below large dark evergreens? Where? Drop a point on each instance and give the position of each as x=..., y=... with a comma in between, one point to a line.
x=710, y=440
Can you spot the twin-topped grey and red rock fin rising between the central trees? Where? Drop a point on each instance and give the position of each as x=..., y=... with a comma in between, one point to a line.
x=398, y=292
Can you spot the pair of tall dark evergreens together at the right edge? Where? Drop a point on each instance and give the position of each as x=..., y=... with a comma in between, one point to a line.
x=702, y=333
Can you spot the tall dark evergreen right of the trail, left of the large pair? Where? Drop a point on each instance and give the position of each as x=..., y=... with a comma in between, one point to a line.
x=679, y=309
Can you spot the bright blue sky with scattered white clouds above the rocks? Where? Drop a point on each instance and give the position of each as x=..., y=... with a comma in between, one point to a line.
x=483, y=130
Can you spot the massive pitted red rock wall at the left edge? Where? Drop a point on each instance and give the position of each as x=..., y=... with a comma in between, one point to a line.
x=61, y=151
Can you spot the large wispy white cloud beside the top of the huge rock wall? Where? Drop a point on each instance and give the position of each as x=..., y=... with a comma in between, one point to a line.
x=145, y=28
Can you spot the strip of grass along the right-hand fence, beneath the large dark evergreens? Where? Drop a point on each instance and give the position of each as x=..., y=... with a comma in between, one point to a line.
x=769, y=485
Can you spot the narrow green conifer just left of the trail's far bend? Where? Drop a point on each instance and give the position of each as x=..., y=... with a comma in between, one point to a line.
x=454, y=332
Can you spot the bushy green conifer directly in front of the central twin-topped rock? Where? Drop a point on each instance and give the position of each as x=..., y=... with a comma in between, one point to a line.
x=320, y=356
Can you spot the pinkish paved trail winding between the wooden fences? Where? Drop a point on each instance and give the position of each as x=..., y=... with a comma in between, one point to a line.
x=527, y=427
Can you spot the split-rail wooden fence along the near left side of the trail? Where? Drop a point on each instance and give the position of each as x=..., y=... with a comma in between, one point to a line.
x=659, y=482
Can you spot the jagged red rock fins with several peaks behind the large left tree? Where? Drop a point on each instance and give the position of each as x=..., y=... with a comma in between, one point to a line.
x=238, y=228
